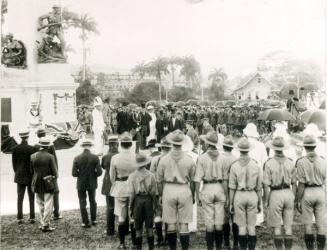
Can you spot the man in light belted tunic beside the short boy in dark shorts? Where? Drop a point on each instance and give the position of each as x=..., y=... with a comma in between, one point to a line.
x=121, y=166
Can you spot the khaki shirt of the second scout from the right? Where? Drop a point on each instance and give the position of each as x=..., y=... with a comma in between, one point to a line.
x=278, y=171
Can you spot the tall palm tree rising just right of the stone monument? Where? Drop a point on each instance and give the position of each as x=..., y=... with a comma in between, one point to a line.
x=87, y=25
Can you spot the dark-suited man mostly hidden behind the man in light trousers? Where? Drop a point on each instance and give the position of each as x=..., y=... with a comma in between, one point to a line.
x=51, y=150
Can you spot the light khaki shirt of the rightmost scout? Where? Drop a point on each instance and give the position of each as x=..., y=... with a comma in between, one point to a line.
x=311, y=169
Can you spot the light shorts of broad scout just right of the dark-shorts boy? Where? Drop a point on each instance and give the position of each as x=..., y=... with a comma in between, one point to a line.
x=177, y=203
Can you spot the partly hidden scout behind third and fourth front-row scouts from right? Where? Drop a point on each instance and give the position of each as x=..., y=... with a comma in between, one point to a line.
x=229, y=158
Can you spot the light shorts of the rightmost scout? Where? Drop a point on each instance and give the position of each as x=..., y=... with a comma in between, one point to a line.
x=314, y=203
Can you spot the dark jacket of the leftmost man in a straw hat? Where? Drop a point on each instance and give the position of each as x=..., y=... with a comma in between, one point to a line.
x=21, y=162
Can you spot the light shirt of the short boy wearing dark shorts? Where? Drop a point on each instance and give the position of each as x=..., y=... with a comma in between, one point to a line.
x=142, y=181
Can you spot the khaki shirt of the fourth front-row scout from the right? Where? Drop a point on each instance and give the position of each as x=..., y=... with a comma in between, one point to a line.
x=210, y=167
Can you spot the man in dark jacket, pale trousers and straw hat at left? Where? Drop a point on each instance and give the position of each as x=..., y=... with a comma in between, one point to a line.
x=45, y=170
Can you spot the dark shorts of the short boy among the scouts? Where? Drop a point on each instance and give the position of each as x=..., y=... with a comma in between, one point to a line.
x=143, y=211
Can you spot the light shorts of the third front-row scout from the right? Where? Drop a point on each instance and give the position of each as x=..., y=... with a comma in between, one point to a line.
x=246, y=208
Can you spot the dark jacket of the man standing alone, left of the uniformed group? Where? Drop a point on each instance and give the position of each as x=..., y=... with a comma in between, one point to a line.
x=87, y=169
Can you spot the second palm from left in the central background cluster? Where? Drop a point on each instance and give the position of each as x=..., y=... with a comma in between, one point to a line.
x=157, y=68
